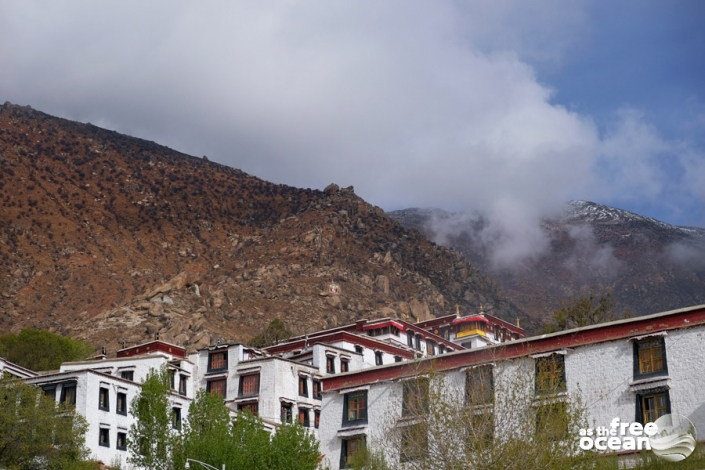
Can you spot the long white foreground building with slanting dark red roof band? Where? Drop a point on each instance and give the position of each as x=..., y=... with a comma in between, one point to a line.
x=635, y=370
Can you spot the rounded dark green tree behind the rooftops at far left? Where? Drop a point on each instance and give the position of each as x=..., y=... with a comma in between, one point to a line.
x=42, y=350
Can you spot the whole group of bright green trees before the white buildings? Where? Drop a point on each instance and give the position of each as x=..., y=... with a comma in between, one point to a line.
x=211, y=435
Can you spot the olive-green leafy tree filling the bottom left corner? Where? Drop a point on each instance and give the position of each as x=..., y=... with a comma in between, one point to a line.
x=35, y=430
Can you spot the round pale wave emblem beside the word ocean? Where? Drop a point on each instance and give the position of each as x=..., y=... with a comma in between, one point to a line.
x=675, y=439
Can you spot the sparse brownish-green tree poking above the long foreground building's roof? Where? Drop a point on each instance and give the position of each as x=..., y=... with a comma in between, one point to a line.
x=584, y=311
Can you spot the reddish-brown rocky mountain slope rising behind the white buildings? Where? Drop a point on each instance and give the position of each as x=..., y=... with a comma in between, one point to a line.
x=114, y=239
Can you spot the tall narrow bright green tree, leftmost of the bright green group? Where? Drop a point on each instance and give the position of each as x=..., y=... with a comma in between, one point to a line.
x=151, y=439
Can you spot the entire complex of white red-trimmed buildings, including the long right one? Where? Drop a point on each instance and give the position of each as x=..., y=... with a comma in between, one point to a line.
x=345, y=383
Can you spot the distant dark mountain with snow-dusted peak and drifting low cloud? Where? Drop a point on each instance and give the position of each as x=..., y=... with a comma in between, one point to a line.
x=649, y=266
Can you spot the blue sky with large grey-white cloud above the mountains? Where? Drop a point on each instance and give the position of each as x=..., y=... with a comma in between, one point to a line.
x=509, y=107
